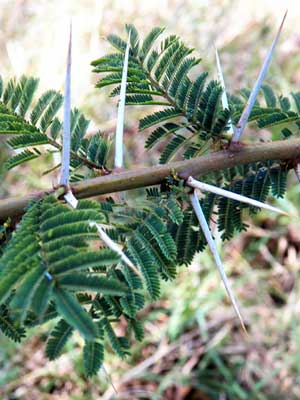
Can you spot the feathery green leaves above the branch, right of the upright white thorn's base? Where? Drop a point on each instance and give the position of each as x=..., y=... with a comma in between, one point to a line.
x=192, y=115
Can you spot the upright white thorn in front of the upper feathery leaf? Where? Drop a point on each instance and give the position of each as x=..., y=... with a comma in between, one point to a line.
x=121, y=111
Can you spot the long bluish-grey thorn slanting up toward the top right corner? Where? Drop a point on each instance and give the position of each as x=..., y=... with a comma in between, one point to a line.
x=250, y=103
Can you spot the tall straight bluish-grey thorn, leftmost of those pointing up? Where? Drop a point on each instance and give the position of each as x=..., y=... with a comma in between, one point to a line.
x=66, y=148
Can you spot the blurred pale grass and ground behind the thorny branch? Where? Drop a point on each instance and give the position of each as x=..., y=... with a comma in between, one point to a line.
x=193, y=348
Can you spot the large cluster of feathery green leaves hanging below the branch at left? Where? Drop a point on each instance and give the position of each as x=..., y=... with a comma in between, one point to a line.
x=51, y=268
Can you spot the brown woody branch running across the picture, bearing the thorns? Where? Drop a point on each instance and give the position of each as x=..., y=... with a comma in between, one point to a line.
x=148, y=176
